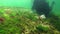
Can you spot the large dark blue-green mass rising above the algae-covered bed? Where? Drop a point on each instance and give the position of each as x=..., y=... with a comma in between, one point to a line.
x=42, y=7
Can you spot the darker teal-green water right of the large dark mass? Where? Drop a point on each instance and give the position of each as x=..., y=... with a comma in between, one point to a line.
x=56, y=8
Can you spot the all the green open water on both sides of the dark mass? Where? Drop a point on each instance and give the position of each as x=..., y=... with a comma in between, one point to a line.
x=28, y=4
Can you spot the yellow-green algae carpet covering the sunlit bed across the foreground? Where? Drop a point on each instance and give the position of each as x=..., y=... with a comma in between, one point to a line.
x=22, y=21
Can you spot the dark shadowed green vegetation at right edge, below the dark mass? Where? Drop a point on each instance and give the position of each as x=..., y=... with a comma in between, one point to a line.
x=55, y=21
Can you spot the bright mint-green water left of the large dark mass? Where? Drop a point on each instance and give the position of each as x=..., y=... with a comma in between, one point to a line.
x=16, y=3
